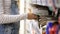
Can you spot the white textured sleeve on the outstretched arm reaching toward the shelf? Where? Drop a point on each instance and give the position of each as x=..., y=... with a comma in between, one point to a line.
x=11, y=18
